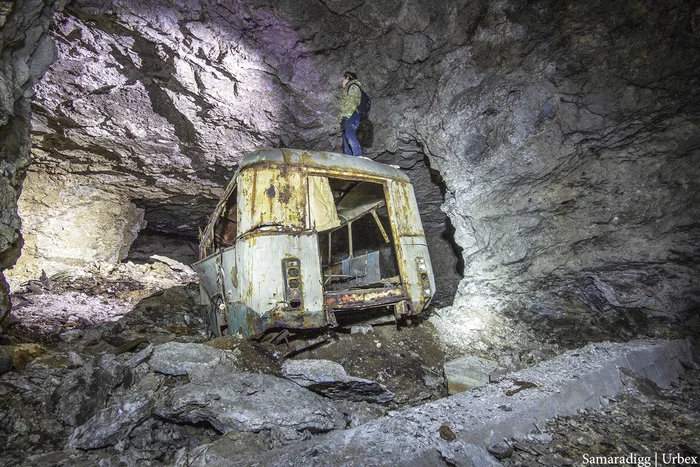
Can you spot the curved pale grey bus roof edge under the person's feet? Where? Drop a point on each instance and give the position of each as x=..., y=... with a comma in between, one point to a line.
x=324, y=161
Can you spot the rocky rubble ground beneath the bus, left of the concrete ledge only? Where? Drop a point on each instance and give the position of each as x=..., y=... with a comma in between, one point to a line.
x=108, y=365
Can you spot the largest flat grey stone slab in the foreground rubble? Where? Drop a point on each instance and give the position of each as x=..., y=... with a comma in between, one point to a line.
x=249, y=402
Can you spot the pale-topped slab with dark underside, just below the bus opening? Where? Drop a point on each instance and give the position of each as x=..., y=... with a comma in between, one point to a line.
x=330, y=379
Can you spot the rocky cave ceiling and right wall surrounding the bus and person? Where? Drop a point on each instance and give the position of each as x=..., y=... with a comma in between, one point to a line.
x=560, y=138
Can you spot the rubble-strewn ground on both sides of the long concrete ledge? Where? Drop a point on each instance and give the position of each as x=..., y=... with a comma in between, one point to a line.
x=115, y=368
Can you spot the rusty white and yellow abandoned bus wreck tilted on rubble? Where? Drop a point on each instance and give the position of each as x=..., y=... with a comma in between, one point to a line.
x=300, y=237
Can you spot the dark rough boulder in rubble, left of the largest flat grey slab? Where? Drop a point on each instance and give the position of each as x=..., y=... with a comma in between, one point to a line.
x=84, y=391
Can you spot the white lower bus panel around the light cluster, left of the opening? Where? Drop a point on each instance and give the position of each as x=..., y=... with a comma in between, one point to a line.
x=262, y=285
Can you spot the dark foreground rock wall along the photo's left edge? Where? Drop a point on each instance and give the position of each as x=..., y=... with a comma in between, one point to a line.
x=25, y=52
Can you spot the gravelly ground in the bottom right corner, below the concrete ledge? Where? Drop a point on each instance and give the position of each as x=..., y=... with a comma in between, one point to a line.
x=646, y=421
